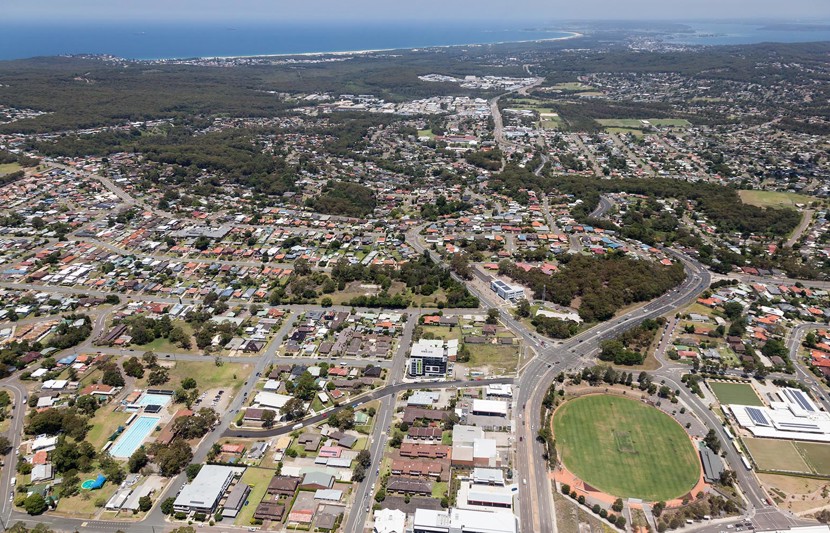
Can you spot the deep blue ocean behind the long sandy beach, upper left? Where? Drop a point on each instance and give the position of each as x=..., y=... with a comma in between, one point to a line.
x=171, y=41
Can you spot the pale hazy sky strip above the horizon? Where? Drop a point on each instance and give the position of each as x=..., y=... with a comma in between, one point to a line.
x=543, y=11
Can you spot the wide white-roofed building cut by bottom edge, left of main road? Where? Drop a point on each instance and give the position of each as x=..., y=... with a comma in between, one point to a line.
x=468, y=521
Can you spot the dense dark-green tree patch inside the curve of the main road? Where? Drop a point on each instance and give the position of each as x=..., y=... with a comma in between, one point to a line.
x=599, y=286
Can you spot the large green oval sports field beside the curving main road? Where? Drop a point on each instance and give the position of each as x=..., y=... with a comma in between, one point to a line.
x=625, y=448
